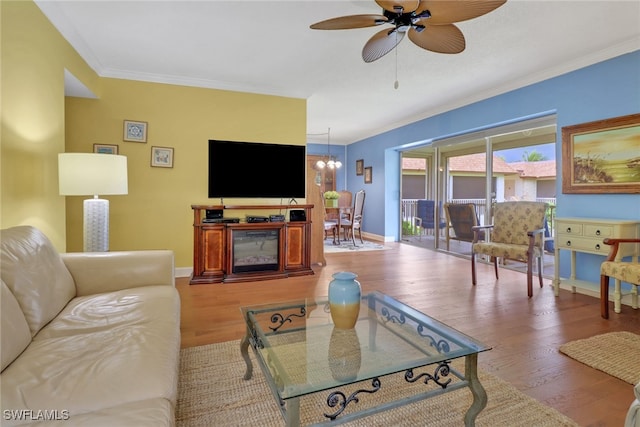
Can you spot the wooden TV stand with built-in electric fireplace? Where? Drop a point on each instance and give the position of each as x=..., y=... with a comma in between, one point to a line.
x=213, y=244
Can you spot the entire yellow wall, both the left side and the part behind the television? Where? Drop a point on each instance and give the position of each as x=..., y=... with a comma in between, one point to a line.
x=38, y=123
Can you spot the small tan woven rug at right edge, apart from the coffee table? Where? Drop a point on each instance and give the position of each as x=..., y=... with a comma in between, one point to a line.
x=615, y=353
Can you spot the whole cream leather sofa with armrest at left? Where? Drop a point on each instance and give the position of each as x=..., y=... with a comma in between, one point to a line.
x=88, y=339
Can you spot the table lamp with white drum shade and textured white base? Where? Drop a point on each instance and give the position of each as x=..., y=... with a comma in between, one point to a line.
x=84, y=174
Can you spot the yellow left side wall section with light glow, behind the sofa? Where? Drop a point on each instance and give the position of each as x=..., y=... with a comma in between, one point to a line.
x=34, y=56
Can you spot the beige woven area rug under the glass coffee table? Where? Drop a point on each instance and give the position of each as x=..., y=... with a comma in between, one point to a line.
x=211, y=392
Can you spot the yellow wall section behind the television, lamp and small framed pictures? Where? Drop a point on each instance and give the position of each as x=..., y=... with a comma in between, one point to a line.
x=157, y=214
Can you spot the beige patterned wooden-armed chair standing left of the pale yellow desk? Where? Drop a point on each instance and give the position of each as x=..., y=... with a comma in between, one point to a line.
x=516, y=233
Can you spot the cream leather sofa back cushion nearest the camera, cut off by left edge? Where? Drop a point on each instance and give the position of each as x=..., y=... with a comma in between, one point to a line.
x=15, y=335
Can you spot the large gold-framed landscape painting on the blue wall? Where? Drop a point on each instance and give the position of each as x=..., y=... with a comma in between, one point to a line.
x=602, y=156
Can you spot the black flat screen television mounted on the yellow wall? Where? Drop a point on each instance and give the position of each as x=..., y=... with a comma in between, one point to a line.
x=256, y=170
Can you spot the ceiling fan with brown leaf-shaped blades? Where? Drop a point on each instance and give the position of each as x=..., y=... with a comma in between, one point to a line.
x=428, y=22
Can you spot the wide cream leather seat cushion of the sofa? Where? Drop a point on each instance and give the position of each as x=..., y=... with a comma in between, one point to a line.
x=100, y=352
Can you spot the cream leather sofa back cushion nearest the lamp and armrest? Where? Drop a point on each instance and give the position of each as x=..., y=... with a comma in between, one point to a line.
x=35, y=274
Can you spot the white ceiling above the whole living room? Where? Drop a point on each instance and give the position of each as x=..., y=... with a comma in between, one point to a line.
x=266, y=47
